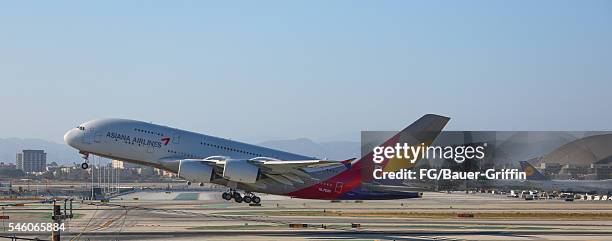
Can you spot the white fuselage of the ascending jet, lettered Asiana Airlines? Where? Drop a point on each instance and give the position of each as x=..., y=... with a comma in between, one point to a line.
x=151, y=144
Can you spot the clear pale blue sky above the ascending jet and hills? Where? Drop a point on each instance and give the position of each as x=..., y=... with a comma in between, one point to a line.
x=261, y=70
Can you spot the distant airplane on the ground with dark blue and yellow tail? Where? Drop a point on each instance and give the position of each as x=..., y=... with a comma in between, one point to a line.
x=574, y=186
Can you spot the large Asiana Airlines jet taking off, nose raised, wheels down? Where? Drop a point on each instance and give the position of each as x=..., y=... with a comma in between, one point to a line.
x=201, y=158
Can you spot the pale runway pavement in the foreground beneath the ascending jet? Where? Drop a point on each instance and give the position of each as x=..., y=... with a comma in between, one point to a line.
x=189, y=215
